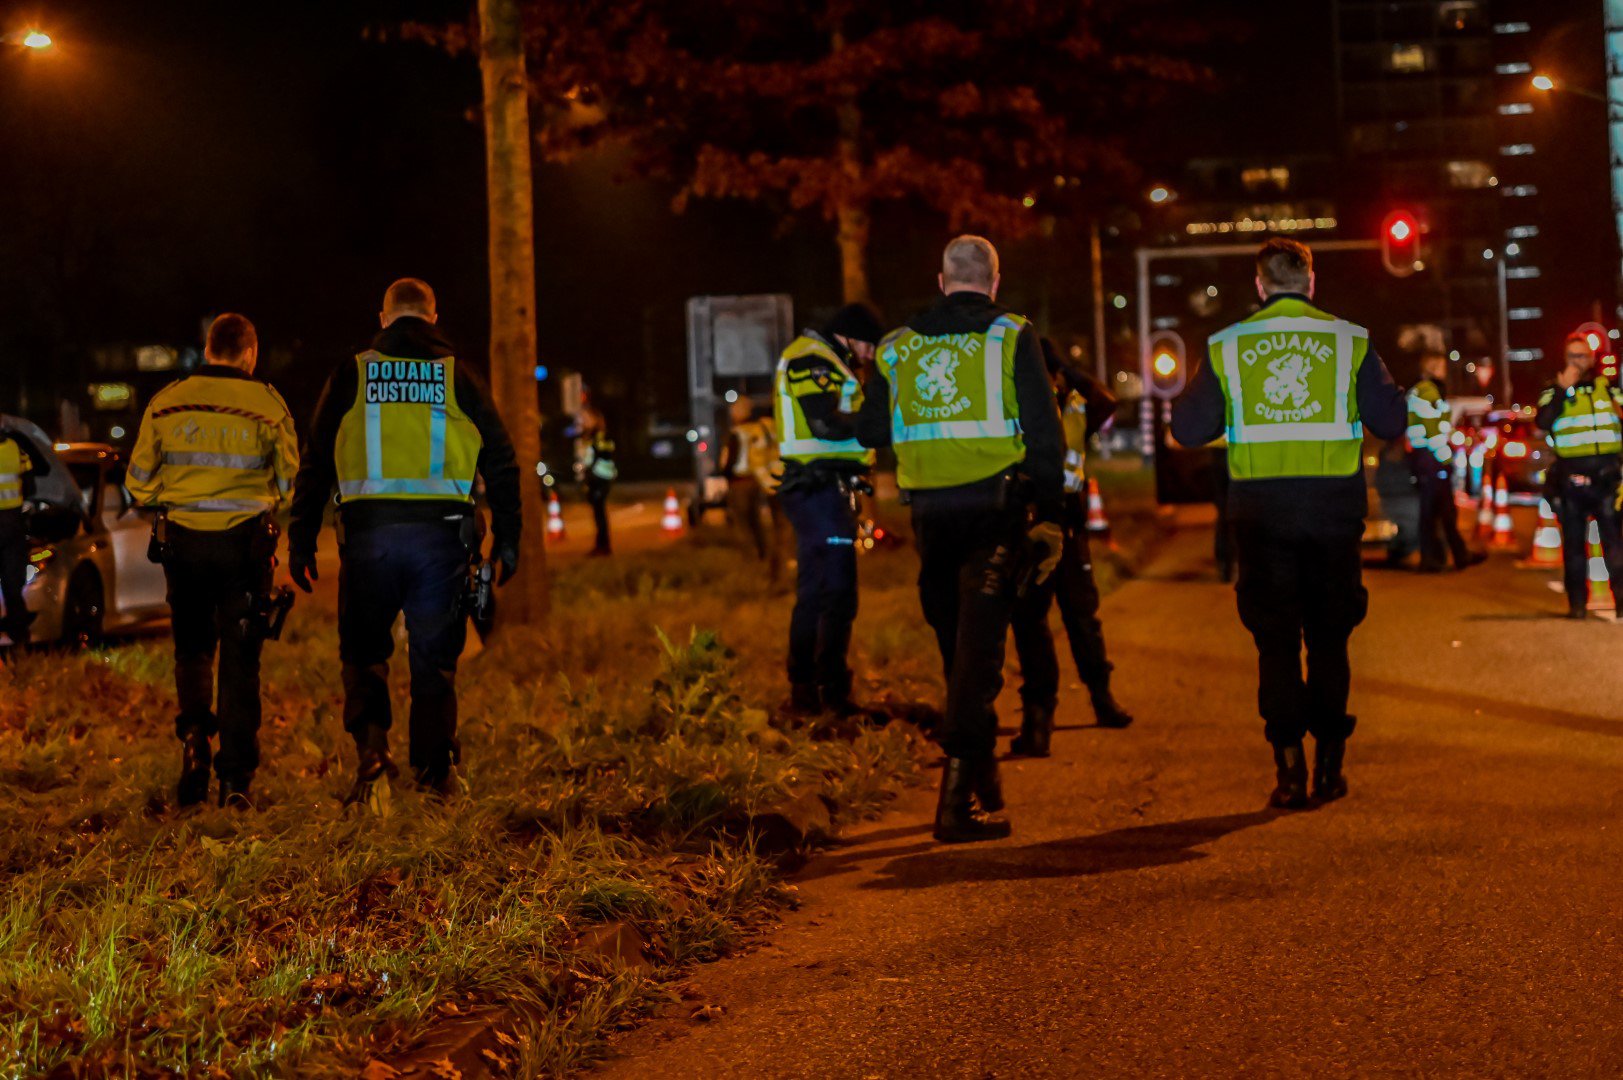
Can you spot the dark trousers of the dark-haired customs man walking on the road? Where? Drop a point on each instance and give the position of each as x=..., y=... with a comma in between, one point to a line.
x=1302, y=584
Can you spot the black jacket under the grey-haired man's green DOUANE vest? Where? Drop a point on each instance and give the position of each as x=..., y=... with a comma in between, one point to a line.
x=1040, y=417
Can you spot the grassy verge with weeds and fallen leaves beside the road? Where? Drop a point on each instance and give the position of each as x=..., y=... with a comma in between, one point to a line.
x=616, y=772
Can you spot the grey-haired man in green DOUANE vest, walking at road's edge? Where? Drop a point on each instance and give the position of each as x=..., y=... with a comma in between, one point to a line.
x=963, y=397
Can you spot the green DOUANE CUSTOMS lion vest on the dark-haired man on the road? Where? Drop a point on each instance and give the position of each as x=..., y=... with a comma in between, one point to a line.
x=1289, y=378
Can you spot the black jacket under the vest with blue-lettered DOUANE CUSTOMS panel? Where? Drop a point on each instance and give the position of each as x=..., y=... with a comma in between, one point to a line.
x=408, y=339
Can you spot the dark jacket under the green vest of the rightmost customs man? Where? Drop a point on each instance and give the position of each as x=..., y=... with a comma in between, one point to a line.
x=1202, y=417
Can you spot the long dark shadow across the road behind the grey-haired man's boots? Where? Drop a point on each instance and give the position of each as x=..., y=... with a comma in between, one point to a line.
x=1080, y=857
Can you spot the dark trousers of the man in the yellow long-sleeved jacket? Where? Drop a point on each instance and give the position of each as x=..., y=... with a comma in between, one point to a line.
x=213, y=582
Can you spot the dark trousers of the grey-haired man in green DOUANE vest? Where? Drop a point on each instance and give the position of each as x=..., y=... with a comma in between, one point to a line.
x=966, y=585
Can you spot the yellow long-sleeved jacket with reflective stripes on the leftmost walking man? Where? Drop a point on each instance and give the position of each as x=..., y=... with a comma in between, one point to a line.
x=217, y=449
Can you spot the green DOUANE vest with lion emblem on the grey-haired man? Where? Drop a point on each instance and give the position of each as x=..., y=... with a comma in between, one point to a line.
x=955, y=418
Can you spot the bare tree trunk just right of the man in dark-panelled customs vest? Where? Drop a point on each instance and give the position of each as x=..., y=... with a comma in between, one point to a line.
x=514, y=285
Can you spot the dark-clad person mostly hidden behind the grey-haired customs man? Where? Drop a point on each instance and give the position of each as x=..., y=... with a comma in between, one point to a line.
x=1085, y=407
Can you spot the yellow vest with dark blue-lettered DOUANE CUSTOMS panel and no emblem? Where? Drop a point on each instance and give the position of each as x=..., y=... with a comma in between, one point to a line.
x=405, y=438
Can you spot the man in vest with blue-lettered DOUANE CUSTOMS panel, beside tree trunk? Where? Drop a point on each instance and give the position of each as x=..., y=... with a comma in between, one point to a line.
x=402, y=433
